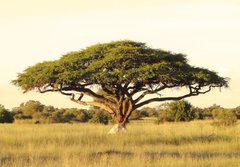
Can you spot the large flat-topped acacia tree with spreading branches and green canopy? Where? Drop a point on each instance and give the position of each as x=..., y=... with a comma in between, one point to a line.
x=125, y=72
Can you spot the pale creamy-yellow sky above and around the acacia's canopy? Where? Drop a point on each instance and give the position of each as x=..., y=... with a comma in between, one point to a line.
x=207, y=31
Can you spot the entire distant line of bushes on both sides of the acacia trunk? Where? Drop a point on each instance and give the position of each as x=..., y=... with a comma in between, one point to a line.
x=176, y=111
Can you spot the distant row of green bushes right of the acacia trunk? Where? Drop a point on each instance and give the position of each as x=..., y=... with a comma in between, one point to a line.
x=182, y=110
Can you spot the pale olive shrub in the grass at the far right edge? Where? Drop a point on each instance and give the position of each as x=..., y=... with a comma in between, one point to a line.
x=224, y=117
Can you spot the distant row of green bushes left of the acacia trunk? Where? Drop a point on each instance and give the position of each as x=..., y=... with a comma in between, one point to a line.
x=35, y=112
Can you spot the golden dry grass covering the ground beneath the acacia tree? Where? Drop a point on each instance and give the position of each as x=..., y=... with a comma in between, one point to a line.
x=196, y=143
